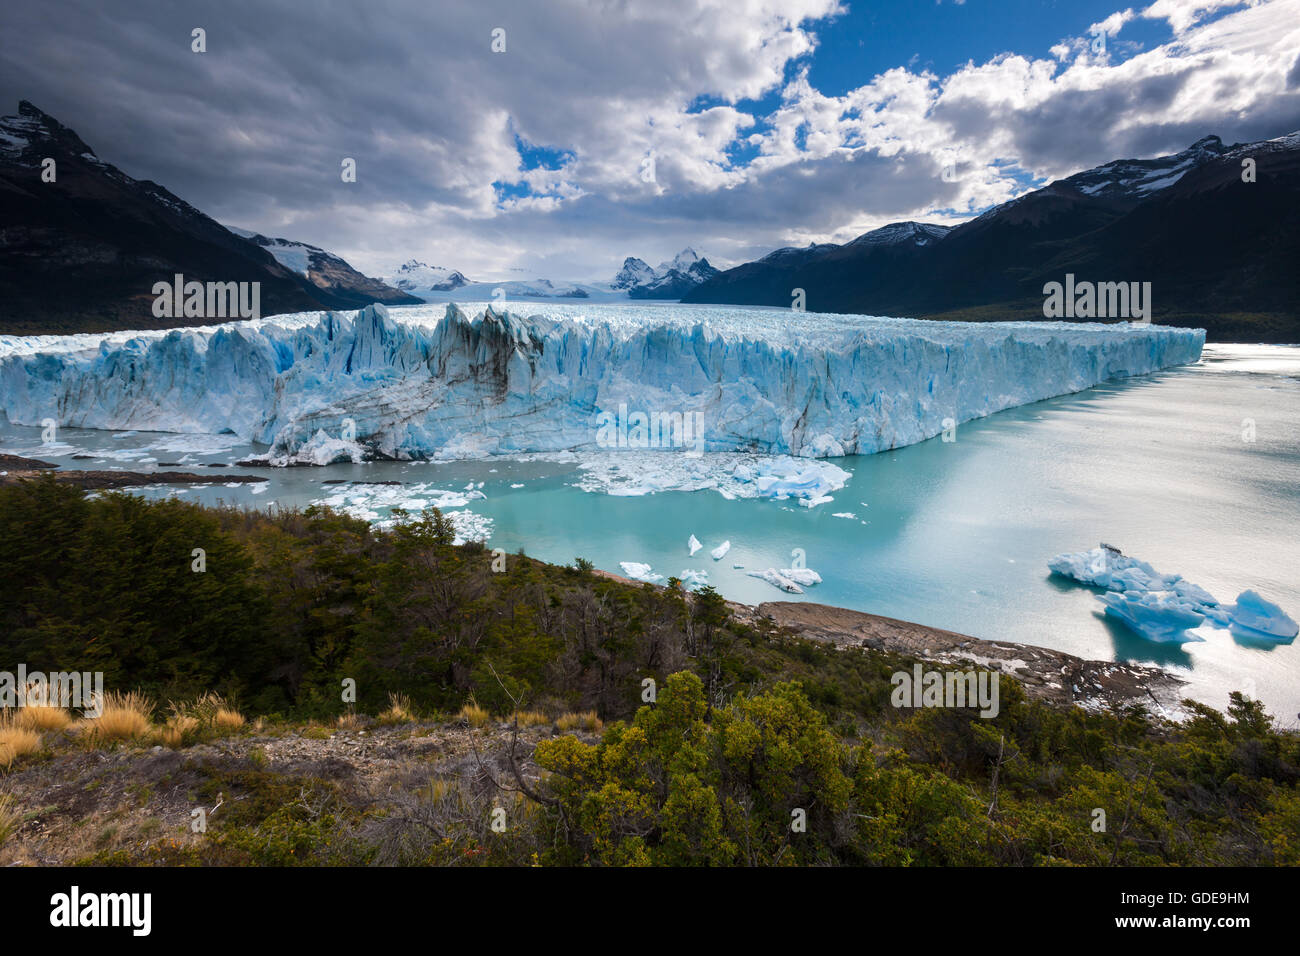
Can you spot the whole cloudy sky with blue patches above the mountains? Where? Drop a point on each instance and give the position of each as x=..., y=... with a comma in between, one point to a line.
x=553, y=140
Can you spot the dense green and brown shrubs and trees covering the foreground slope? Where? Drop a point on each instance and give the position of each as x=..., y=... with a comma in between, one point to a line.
x=760, y=747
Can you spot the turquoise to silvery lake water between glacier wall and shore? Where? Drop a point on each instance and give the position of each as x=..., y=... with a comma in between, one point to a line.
x=955, y=535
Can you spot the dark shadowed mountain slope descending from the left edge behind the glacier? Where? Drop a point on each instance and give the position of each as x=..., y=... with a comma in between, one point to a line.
x=83, y=253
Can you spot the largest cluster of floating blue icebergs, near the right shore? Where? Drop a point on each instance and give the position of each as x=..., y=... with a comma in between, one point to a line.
x=1168, y=608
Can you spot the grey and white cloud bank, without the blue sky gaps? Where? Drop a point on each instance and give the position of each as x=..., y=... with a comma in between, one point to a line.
x=254, y=131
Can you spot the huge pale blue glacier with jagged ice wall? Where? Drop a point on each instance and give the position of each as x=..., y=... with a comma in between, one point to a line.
x=440, y=383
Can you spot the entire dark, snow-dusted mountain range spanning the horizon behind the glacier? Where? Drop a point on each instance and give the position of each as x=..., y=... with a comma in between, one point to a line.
x=81, y=253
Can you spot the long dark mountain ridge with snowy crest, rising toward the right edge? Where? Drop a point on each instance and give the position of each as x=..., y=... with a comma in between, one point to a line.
x=1220, y=253
